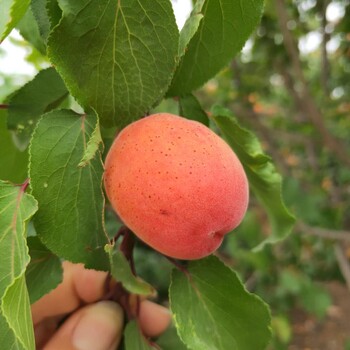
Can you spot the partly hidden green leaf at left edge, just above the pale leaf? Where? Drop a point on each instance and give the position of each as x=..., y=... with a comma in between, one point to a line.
x=13, y=162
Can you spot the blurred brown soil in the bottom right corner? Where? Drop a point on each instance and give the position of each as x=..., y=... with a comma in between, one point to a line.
x=332, y=333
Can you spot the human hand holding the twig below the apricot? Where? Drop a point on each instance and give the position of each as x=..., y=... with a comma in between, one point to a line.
x=93, y=324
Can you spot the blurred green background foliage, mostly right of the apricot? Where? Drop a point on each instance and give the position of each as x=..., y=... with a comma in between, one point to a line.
x=291, y=86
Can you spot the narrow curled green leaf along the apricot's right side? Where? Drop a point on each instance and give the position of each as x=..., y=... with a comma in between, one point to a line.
x=263, y=178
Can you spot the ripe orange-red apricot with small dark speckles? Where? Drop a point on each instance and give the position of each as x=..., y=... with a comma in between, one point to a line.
x=176, y=184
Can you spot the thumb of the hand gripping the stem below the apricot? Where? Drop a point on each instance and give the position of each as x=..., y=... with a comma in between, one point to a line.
x=94, y=327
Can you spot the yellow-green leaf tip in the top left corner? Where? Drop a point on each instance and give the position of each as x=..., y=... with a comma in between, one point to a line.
x=11, y=12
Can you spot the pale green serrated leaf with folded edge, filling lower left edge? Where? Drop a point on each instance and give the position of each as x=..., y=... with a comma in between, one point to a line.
x=16, y=208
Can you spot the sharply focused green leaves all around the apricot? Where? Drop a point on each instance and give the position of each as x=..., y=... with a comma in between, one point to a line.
x=113, y=62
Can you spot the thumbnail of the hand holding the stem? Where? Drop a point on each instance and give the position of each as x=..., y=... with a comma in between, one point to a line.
x=99, y=327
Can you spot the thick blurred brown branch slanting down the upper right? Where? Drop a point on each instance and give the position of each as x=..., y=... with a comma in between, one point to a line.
x=304, y=95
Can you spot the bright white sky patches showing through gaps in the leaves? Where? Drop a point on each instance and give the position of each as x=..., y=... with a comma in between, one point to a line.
x=13, y=59
